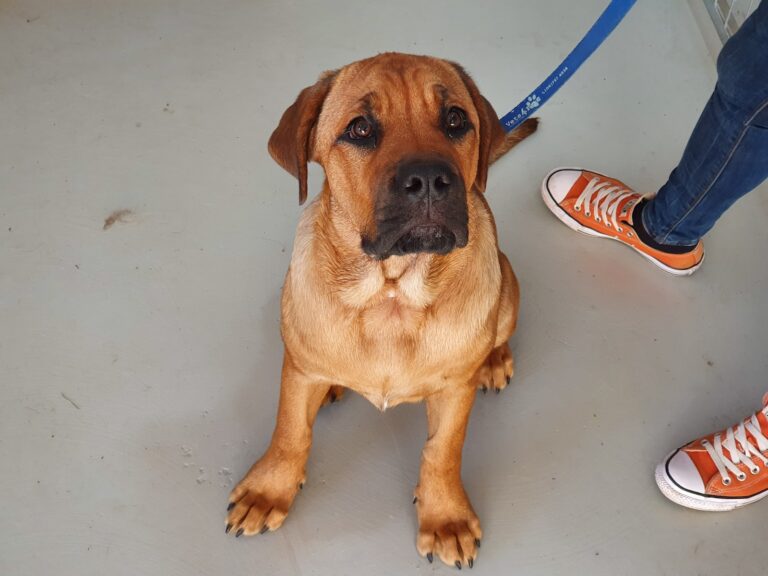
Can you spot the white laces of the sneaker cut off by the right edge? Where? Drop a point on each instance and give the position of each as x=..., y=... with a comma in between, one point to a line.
x=745, y=454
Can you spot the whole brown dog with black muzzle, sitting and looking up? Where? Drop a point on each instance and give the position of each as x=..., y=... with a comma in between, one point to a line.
x=397, y=288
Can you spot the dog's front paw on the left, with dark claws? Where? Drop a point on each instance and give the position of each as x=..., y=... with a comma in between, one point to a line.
x=260, y=502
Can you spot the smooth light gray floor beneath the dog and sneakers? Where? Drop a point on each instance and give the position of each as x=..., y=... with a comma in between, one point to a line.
x=140, y=364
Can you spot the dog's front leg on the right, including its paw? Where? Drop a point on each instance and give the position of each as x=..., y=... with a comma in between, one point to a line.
x=448, y=525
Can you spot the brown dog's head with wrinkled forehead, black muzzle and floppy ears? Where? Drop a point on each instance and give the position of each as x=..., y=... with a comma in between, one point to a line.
x=403, y=140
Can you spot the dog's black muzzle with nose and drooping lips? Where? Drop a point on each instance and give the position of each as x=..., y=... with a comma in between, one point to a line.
x=423, y=208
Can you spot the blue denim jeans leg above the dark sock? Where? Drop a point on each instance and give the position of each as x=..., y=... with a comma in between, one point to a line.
x=727, y=154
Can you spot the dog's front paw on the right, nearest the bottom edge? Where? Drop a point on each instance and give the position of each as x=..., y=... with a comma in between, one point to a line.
x=451, y=532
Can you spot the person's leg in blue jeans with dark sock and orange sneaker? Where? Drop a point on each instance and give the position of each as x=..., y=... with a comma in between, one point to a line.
x=725, y=158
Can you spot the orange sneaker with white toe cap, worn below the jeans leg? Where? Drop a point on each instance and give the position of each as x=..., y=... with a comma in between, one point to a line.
x=601, y=206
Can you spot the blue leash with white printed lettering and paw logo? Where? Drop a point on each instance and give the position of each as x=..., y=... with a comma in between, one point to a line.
x=600, y=30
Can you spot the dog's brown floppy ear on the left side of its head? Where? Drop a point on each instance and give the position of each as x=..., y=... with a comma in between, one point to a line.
x=292, y=143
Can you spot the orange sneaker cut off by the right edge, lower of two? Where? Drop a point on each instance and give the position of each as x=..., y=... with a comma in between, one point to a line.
x=721, y=471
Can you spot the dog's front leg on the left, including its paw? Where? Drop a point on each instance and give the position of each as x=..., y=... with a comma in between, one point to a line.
x=261, y=500
